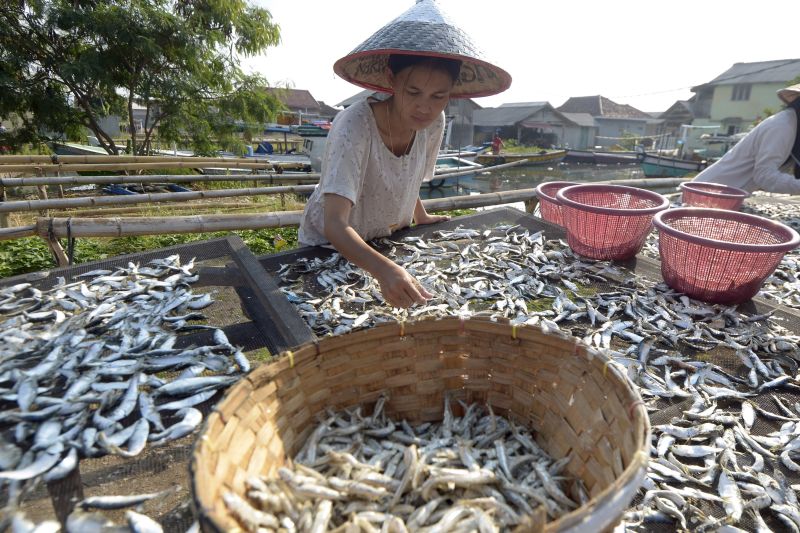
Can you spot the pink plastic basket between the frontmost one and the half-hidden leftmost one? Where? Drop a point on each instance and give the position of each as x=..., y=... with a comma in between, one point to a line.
x=608, y=221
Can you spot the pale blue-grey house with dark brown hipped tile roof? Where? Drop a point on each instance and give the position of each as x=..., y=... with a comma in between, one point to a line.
x=615, y=122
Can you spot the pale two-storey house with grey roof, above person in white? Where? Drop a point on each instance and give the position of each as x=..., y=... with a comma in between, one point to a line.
x=737, y=98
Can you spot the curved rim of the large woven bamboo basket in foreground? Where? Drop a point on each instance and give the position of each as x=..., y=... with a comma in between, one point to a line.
x=307, y=352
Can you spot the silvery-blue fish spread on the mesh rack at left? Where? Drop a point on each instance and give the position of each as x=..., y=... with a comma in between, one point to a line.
x=83, y=366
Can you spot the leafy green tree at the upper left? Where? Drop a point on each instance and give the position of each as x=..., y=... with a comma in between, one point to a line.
x=65, y=64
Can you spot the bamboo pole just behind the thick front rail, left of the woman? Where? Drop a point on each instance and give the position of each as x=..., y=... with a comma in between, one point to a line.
x=94, y=201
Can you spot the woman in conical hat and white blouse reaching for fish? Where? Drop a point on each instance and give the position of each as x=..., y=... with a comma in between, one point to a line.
x=378, y=152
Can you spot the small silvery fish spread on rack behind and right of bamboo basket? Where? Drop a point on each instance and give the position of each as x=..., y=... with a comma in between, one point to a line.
x=708, y=369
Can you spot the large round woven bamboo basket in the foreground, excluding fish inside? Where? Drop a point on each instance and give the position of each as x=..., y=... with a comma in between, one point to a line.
x=578, y=404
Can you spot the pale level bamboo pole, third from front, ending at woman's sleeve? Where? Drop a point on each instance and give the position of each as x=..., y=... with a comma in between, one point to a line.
x=155, y=178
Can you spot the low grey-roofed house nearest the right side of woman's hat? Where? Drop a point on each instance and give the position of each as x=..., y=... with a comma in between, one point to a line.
x=535, y=124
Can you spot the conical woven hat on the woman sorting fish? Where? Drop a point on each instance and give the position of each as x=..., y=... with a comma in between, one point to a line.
x=426, y=31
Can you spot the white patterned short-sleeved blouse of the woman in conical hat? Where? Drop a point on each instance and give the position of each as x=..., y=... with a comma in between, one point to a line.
x=357, y=165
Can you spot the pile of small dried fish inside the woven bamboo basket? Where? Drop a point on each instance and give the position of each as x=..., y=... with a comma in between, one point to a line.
x=475, y=472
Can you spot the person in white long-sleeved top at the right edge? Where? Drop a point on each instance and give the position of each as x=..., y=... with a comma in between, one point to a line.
x=767, y=158
